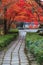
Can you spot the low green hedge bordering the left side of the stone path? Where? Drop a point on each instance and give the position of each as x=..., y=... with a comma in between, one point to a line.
x=6, y=39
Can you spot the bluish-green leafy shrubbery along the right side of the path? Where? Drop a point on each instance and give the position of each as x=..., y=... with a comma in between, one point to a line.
x=34, y=43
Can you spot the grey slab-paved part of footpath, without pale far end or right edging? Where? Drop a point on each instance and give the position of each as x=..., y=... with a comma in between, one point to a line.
x=15, y=55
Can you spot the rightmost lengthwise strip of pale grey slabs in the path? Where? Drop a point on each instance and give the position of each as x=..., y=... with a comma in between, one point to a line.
x=23, y=58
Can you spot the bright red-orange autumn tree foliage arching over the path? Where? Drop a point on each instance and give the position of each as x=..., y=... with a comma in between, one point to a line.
x=22, y=11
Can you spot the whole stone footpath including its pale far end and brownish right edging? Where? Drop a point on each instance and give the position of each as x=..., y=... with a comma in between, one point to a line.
x=15, y=55
